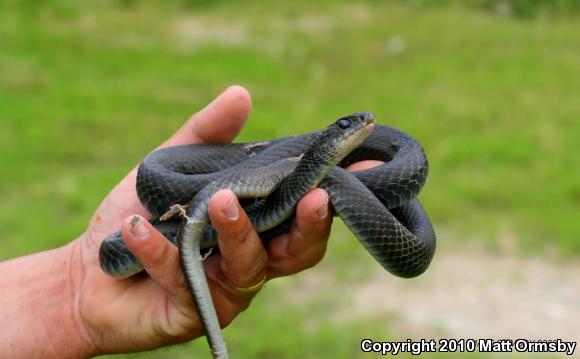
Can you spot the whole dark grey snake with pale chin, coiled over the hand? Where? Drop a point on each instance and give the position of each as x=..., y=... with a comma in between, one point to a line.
x=378, y=204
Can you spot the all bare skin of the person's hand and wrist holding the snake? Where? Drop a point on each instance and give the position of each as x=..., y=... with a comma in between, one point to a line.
x=60, y=304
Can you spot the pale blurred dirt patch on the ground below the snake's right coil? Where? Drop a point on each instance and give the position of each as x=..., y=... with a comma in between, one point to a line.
x=471, y=293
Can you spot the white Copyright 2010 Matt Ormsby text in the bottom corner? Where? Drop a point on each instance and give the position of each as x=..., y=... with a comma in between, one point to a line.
x=421, y=346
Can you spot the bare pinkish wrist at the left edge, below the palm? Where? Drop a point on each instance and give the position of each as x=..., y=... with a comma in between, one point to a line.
x=40, y=306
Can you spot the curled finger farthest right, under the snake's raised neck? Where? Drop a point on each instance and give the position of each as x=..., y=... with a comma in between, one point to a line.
x=305, y=245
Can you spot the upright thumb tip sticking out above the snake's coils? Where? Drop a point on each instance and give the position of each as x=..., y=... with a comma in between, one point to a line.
x=218, y=122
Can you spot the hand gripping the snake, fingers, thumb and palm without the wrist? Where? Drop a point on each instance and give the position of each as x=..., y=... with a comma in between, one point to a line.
x=145, y=312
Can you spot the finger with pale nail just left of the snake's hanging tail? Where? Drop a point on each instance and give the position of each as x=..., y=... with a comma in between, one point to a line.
x=159, y=257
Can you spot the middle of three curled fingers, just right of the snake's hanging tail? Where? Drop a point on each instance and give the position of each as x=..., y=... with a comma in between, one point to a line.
x=244, y=259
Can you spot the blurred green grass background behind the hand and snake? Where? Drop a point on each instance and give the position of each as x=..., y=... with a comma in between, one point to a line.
x=490, y=88
